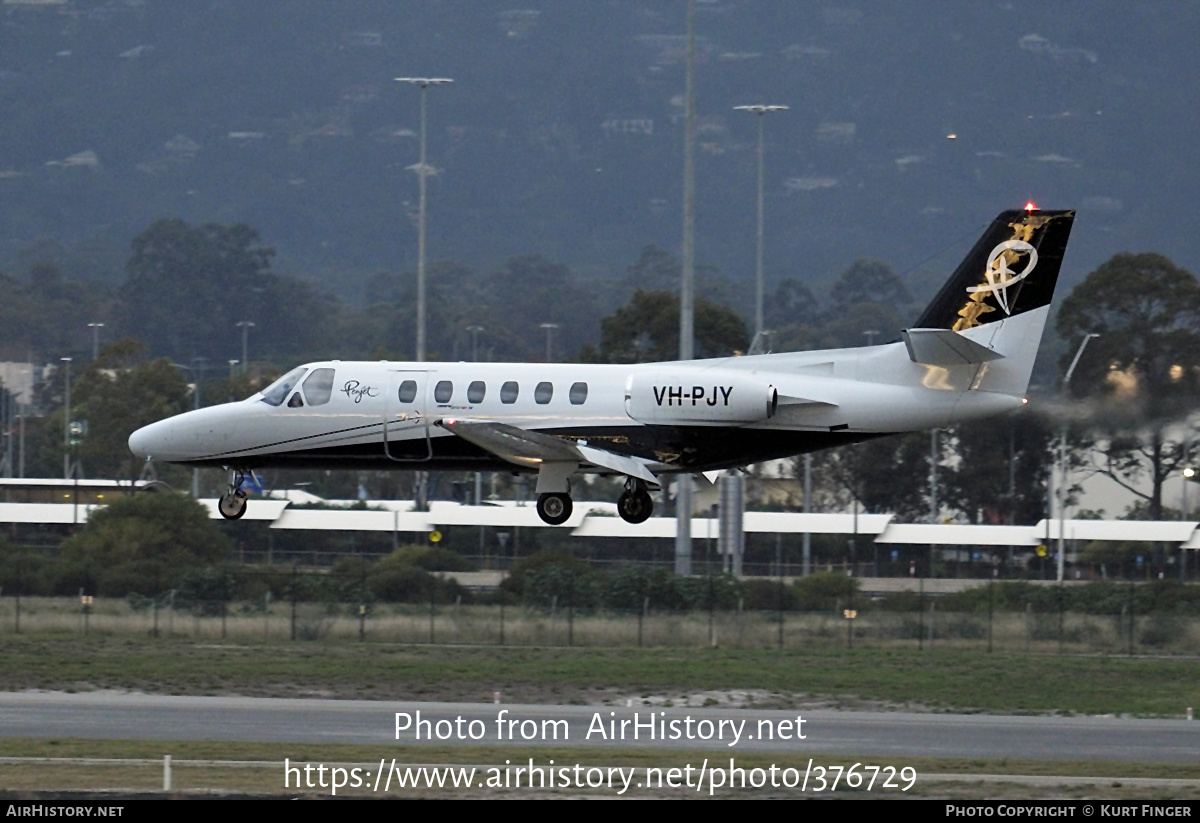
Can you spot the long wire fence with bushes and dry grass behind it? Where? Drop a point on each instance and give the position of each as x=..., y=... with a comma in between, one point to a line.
x=566, y=603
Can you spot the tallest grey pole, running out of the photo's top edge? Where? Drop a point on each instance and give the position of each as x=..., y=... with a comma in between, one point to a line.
x=688, y=275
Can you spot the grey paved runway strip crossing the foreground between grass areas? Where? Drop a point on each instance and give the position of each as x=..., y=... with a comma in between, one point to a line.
x=877, y=734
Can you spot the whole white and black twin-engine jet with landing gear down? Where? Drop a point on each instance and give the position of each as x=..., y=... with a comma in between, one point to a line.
x=968, y=357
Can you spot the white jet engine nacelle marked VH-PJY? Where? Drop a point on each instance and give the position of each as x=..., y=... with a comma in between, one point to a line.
x=705, y=398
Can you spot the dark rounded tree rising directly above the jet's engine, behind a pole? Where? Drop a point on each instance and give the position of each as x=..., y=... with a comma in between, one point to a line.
x=647, y=331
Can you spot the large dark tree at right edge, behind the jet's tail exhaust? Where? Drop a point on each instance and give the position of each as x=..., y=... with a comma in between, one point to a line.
x=1144, y=369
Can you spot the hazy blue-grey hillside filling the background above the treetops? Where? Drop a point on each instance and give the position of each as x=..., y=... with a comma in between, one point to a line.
x=562, y=134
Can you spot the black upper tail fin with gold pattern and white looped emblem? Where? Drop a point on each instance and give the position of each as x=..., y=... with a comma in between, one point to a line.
x=1013, y=269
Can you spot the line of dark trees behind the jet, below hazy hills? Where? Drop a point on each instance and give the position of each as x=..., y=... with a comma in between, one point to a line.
x=188, y=287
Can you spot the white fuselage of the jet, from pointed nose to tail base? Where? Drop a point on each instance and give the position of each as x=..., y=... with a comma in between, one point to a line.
x=694, y=416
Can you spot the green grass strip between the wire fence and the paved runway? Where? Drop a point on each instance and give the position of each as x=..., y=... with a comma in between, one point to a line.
x=939, y=681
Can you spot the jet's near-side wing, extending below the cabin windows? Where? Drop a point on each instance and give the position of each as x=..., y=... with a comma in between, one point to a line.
x=535, y=449
